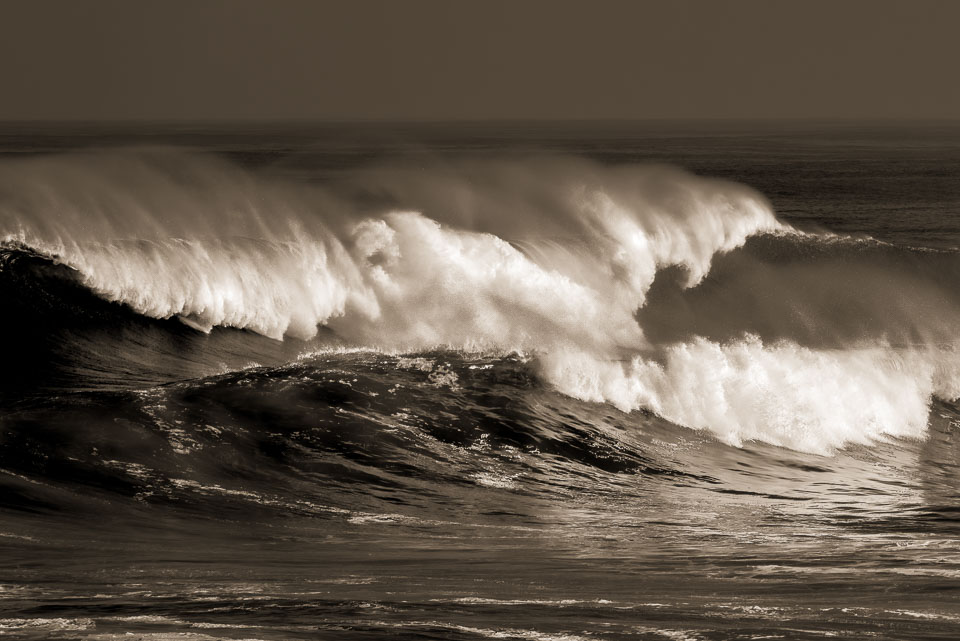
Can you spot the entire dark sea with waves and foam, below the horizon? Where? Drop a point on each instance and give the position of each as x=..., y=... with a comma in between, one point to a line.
x=547, y=382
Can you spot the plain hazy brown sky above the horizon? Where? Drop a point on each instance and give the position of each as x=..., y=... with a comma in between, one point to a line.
x=478, y=59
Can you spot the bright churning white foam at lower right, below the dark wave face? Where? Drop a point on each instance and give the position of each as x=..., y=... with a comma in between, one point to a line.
x=782, y=394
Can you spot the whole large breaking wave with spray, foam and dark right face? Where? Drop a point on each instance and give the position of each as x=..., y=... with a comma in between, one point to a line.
x=648, y=288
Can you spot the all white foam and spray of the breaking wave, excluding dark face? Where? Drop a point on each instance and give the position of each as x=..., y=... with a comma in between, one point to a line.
x=183, y=236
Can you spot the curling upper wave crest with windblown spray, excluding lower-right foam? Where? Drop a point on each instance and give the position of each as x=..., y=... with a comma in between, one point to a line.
x=179, y=235
